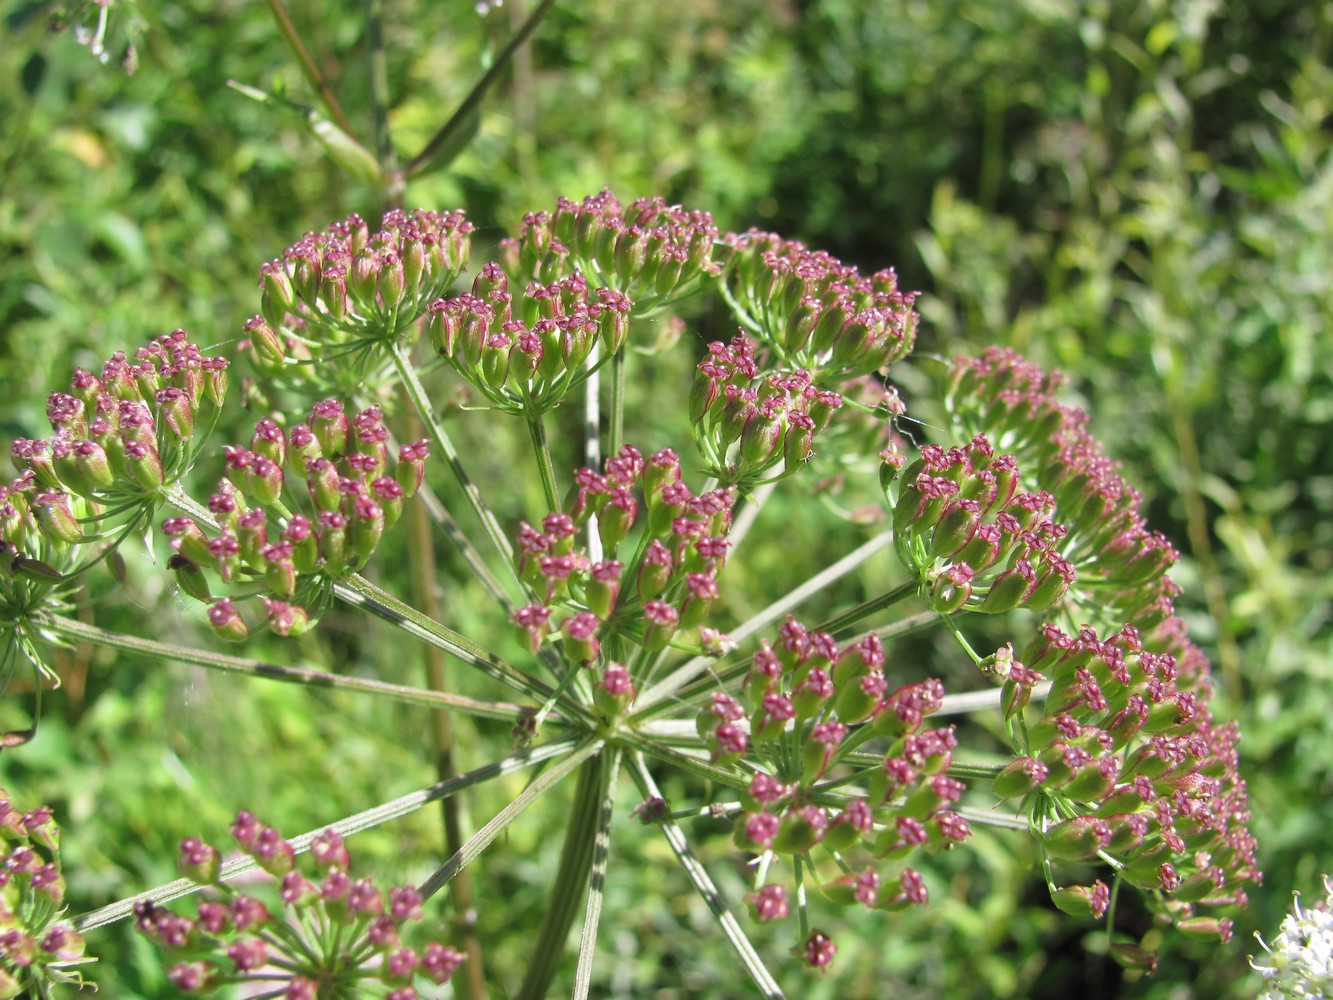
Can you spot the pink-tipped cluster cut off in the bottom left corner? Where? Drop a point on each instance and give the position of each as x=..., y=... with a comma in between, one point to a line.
x=38, y=950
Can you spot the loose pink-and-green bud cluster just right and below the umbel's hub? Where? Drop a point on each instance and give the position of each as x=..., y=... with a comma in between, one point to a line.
x=804, y=710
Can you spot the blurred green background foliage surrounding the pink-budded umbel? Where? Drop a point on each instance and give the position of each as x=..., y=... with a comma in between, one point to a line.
x=1139, y=193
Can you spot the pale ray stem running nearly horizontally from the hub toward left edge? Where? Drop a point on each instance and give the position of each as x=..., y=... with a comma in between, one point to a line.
x=78, y=631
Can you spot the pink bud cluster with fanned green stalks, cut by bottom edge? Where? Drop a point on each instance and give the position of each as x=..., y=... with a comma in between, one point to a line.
x=333, y=938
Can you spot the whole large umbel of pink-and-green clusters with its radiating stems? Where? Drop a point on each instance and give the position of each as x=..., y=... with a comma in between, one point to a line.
x=823, y=747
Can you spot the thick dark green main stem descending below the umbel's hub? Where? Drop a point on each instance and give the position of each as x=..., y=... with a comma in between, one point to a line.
x=571, y=879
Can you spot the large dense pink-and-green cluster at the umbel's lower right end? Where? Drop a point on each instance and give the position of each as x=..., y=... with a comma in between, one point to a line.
x=1124, y=761
